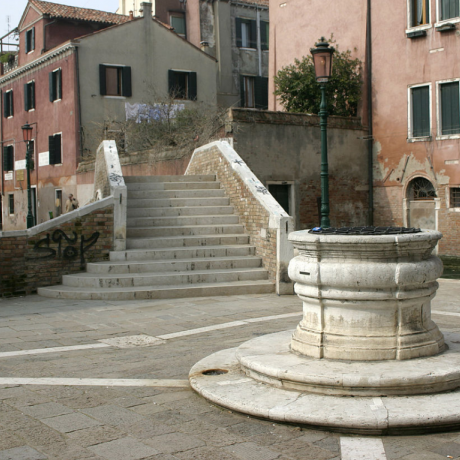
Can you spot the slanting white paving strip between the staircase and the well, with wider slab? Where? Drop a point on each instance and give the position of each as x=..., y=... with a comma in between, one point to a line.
x=145, y=340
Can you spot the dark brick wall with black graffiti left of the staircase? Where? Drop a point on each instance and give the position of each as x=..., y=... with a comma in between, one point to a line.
x=29, y=262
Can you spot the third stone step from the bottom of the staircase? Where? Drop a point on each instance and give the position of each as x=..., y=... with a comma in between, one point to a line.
x=179, y=265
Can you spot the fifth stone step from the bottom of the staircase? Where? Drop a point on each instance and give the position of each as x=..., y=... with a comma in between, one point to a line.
x=188, y=242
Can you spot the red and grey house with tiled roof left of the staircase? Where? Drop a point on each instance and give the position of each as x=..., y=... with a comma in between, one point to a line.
x=67, y=92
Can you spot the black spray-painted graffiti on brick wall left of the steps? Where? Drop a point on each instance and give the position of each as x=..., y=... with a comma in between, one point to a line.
x=67, y=246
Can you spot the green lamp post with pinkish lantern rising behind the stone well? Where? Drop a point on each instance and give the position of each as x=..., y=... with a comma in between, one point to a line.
x=322, y=58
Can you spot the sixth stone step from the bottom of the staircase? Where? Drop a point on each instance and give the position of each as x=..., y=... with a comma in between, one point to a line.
x=150, y=232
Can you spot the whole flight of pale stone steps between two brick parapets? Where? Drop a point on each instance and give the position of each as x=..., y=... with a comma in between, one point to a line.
x=183, y=240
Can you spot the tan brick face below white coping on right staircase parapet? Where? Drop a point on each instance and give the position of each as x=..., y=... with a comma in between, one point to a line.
x=253, y=215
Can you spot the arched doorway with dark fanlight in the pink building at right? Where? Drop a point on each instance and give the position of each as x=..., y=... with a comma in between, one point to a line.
x=422, y=200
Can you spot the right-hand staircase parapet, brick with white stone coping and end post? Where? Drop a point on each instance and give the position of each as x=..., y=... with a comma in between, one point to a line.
x=263, y=218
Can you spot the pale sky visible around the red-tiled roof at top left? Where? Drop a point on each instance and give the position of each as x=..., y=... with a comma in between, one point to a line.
x=13, y=9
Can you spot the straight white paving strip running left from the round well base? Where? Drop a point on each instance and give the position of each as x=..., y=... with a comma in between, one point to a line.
x=166, y=383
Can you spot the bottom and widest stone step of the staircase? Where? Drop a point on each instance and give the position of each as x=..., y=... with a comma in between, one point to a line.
x=160, y=292
